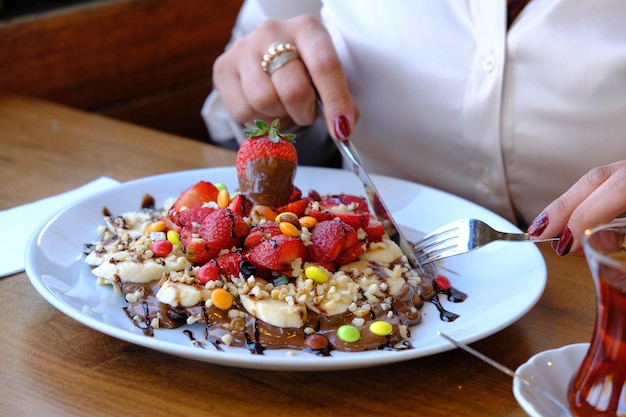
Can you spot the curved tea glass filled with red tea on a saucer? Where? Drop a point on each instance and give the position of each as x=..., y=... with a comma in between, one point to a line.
x=599, y=386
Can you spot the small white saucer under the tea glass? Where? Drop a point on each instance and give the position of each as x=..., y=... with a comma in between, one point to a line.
x=551, y=371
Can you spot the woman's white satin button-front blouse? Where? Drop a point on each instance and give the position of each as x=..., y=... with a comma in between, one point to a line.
x=450, y=99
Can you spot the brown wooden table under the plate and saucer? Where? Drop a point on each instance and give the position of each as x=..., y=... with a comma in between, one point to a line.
x=51, y=365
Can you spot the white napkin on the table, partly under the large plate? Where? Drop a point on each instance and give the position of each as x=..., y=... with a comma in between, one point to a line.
x=19, y=223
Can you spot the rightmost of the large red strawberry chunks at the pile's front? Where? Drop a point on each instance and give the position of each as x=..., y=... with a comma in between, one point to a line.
x=329, y=239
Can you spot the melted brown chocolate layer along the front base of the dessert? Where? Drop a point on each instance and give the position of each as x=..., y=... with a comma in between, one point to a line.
x=253, y=334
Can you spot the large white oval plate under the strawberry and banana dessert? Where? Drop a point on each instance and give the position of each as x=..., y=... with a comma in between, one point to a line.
x=503, y=280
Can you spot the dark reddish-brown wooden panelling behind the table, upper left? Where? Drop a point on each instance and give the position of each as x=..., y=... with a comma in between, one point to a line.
x=145, y=61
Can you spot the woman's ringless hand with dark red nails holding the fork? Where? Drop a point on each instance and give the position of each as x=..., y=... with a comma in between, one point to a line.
x=598, y=197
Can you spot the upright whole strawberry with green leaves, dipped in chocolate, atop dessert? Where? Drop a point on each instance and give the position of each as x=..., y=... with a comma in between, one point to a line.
x=266, y=164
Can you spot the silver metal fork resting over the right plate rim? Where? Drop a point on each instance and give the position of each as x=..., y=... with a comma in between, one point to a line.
x=463, y=236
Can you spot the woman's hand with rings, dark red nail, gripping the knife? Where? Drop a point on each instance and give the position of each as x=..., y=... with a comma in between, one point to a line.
x=249, y=93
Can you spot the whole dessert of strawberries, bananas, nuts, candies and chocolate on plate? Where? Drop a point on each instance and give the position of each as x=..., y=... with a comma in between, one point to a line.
x=288, y=271
